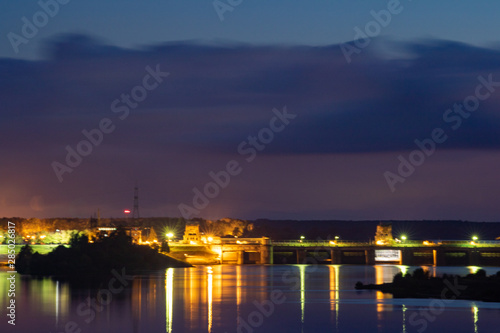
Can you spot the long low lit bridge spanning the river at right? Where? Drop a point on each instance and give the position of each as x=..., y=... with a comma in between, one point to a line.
x=266, y=251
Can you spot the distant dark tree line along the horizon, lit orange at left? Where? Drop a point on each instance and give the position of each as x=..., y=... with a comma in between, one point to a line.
x=275, y=229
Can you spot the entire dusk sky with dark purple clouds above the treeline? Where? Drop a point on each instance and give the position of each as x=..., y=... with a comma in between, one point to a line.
x=267, y=93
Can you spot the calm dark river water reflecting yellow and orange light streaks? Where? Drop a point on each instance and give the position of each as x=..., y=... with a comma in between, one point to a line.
x=248, y=298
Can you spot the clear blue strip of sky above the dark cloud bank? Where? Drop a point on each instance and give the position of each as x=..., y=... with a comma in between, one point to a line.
x=130, y=23
